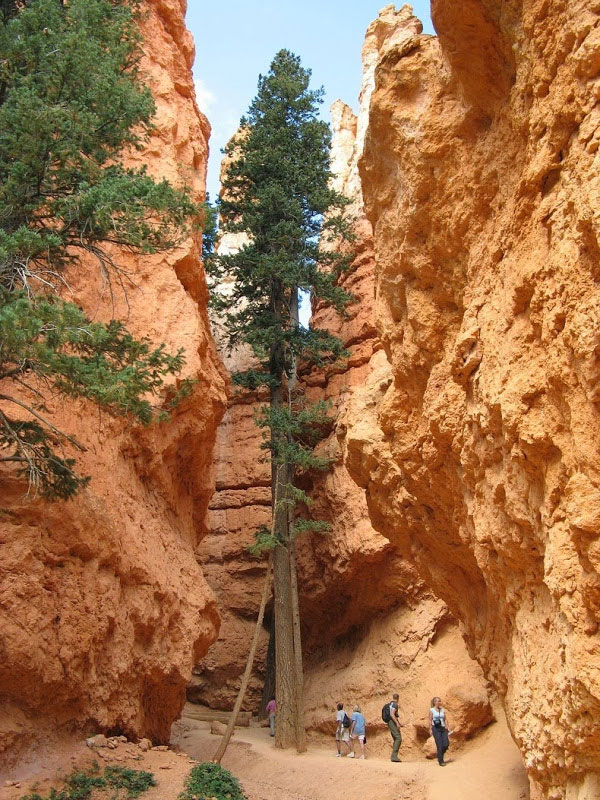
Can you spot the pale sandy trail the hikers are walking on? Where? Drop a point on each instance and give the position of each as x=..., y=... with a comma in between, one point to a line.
x=491, y=767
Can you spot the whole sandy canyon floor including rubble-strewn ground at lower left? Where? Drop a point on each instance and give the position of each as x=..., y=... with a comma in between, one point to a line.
x=489, y=767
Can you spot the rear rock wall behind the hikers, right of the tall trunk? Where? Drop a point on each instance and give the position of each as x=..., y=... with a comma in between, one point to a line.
x=371, y=625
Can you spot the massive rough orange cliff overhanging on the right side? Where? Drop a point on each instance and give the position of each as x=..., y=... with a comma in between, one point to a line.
x=478, y=451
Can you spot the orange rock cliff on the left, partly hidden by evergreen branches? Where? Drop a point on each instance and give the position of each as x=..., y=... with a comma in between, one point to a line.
x=103, y=607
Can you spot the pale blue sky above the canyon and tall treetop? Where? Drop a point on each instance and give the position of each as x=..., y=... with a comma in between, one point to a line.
x=237, y=39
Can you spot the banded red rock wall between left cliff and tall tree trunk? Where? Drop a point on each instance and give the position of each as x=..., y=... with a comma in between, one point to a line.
x=241, y=503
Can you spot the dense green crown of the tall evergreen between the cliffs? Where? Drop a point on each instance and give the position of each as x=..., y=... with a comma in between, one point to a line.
x=277, y=191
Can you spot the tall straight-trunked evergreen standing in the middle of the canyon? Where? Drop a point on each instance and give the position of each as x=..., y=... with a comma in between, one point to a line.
x=277, y=191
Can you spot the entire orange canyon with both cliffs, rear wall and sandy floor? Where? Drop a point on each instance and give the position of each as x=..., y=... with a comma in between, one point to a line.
x=463, y=487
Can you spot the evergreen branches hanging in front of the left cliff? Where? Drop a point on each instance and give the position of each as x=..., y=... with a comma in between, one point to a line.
x=71, y=103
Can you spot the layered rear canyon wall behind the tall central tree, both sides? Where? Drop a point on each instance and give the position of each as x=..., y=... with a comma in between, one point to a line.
x=370, y=625
